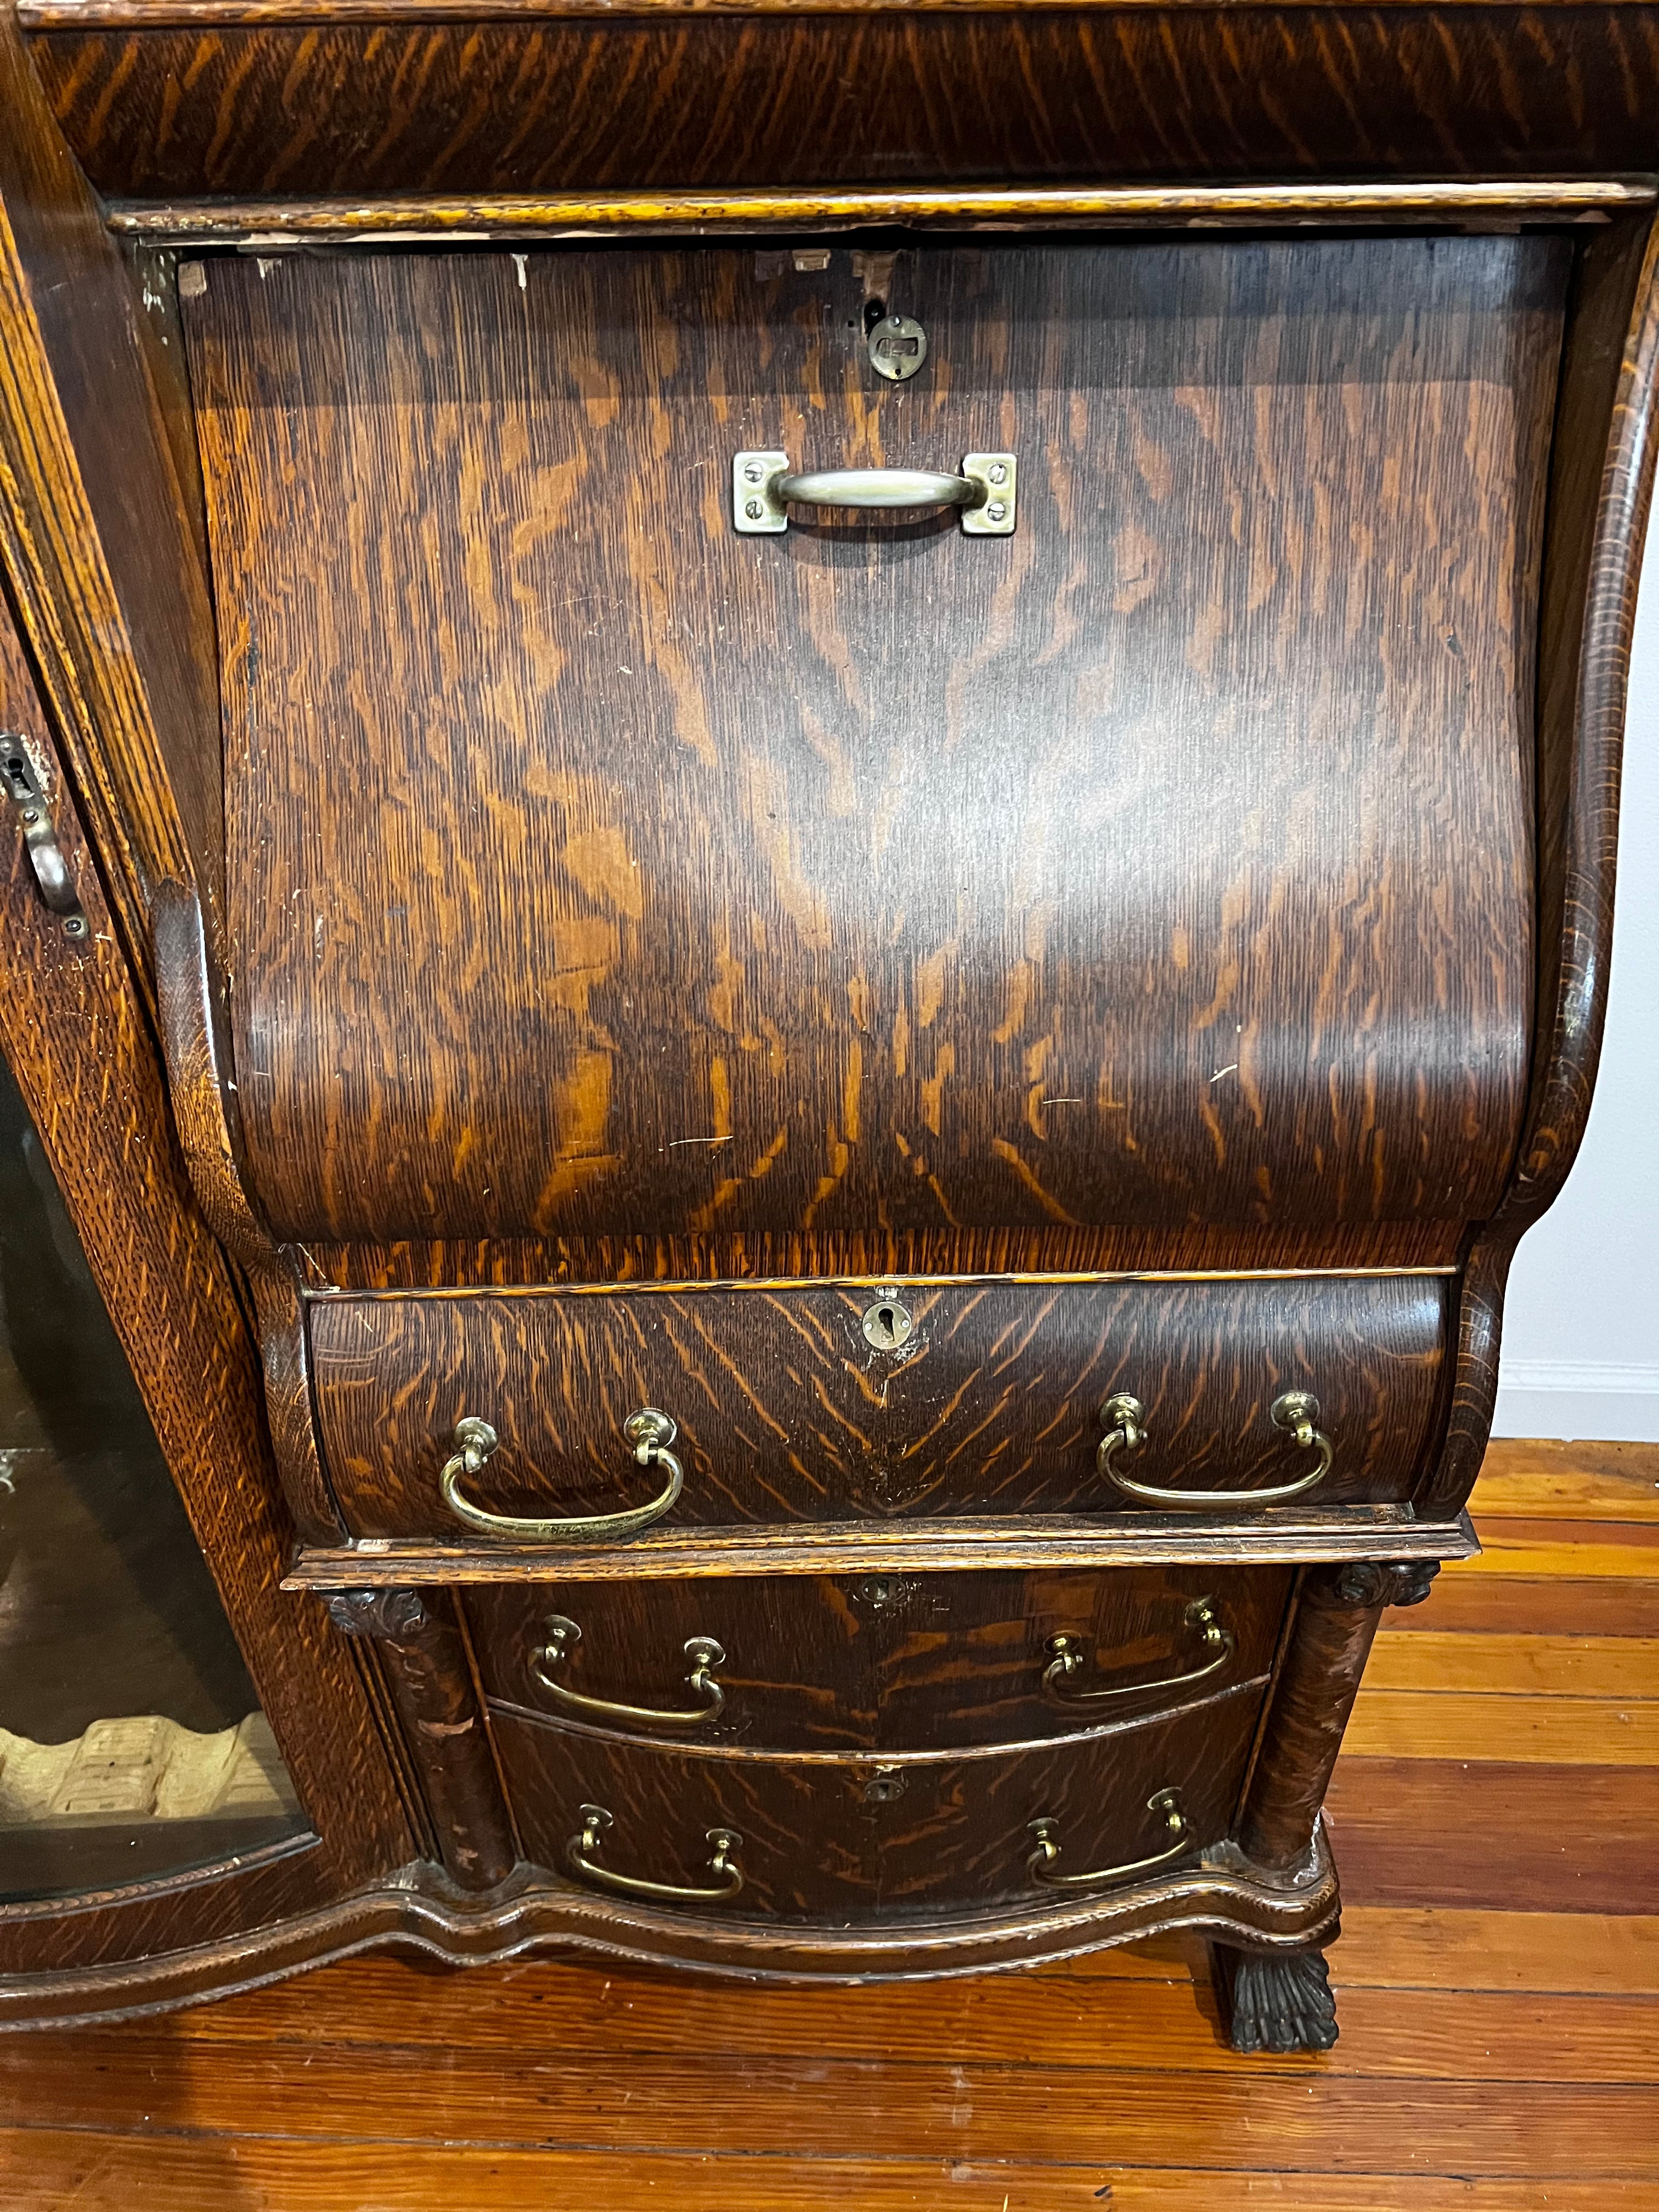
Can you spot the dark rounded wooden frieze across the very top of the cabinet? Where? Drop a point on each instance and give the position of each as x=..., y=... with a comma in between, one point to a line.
x=362, y=103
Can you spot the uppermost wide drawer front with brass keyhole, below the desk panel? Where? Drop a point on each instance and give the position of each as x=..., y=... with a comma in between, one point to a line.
x=786, y=1412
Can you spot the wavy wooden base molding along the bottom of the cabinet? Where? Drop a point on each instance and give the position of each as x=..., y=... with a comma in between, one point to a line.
x=532, y=1910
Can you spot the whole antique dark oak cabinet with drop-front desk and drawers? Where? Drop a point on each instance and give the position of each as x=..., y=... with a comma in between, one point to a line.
x=808, y=859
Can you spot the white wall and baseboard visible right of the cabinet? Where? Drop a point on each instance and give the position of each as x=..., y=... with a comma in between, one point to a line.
x=1583, y=1322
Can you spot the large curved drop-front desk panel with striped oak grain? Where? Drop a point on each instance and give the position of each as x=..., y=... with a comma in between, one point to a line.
x=682, y=957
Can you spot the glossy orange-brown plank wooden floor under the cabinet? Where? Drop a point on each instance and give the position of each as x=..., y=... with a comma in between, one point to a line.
x=1496, y=1822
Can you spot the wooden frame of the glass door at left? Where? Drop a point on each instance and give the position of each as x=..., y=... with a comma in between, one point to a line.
x=74, y=1034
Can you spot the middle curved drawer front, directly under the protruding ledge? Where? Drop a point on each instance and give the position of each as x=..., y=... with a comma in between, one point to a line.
x=877, y=1662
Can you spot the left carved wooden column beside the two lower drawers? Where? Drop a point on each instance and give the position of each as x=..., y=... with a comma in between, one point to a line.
x=432, y=1687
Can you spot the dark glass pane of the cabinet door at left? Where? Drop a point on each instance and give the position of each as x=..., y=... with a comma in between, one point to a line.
x=132, y=1744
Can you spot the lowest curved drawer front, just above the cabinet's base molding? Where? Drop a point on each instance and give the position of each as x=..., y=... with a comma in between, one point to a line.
x=862, y=1839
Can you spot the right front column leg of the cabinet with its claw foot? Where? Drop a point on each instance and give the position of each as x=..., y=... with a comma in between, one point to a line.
x=1282, y=2001
